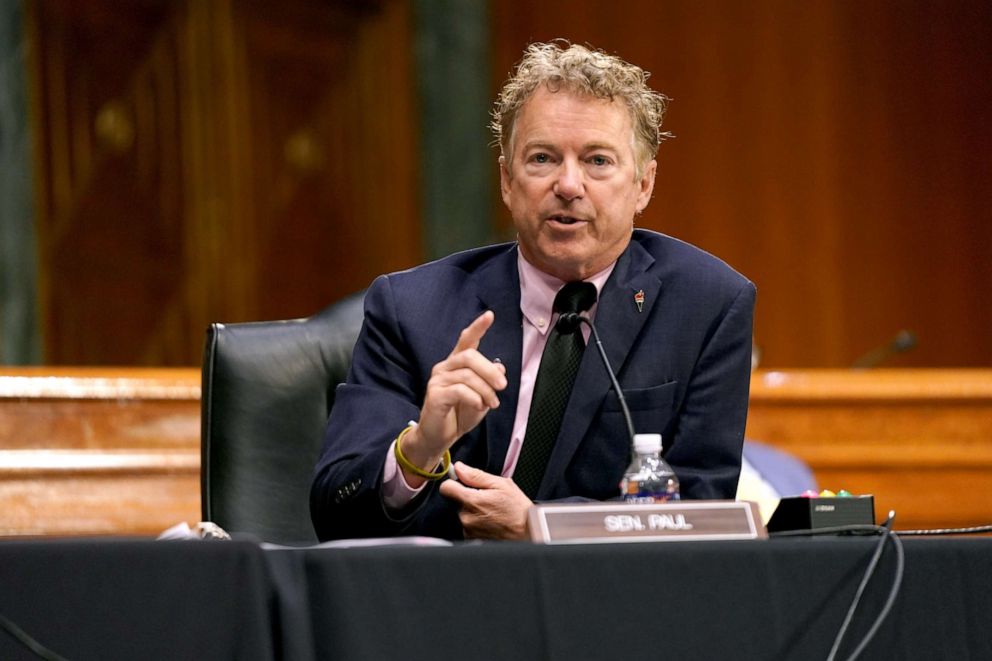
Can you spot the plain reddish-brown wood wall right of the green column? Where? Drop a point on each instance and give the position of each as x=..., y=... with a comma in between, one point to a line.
x=836, y=152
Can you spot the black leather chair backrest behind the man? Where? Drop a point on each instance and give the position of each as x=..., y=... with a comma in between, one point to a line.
x=268, y=388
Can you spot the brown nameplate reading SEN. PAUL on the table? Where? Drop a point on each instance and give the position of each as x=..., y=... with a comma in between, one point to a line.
x=603, y=523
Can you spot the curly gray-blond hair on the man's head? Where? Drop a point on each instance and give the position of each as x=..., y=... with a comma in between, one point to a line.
x=559, y=65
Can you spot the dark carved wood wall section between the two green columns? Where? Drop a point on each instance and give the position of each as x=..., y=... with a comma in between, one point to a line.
x=215, y=161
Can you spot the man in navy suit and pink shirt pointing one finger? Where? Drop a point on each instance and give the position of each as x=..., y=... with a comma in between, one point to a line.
x=445, y=367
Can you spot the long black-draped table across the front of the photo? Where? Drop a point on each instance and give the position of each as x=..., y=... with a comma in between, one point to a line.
x=771, y=599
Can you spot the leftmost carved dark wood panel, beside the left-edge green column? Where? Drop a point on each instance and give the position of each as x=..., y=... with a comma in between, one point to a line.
x=110, y=199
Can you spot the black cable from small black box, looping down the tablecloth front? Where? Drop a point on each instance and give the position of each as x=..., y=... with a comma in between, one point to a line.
x=887, y=535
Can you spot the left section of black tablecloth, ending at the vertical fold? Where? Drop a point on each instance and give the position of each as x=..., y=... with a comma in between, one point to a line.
x=121, y=599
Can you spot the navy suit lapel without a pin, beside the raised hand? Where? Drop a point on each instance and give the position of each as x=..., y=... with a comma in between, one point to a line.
x=498, y=289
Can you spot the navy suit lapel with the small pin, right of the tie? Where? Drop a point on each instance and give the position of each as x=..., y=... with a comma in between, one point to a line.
x=619, y=323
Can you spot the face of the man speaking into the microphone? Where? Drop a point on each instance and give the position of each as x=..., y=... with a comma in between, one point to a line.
x=571, y=187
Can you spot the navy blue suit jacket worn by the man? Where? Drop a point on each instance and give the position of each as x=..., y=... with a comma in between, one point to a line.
x=683, y=362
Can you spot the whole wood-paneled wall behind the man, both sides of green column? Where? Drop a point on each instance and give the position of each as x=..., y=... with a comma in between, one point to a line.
x=239, y=159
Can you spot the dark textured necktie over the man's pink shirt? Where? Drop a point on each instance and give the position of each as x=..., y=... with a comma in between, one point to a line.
x=553, y=386
